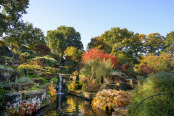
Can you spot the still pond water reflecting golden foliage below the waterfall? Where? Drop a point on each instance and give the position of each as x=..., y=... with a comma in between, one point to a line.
x=68, y=105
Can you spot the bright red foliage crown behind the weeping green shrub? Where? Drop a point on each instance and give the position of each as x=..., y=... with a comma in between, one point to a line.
x=95, y=53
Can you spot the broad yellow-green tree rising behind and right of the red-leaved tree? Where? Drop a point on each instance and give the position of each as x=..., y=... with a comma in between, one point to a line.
x=125, y=45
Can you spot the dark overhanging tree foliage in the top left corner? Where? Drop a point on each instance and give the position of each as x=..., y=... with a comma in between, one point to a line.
x=11, y=12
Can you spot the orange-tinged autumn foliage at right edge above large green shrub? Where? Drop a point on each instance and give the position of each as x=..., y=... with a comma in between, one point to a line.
x=152, y=64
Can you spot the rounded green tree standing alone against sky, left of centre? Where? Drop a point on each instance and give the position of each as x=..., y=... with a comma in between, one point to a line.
x=61, y=38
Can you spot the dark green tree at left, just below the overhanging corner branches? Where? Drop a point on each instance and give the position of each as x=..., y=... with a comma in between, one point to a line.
x=25, y=35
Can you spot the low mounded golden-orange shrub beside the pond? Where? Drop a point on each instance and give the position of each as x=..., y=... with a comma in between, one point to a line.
x=111, y=99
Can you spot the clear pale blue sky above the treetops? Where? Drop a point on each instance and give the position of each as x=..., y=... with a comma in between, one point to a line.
x=93, y=17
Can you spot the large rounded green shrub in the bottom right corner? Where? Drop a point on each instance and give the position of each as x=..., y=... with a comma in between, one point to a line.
x=159, y=105
